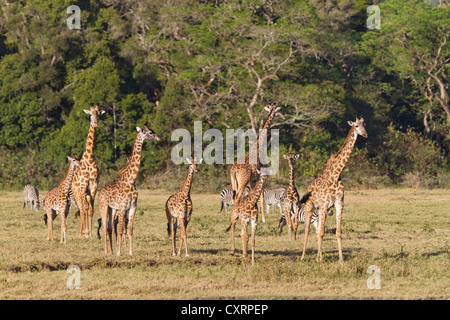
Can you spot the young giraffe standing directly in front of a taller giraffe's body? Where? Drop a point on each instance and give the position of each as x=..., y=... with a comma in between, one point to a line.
x=247, y=211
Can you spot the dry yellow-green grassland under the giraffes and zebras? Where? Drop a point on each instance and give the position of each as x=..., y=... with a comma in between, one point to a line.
x=405, y=232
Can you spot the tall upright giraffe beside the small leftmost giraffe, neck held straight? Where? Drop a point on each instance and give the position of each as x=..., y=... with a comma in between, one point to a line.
x=85, y=179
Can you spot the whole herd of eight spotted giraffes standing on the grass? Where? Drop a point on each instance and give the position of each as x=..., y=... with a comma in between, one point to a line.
x=118, y=198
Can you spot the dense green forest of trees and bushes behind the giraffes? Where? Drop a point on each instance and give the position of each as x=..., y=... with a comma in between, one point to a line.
x=169, y=63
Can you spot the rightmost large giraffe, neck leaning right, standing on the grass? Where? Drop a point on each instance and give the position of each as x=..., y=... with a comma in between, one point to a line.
x=328, y=190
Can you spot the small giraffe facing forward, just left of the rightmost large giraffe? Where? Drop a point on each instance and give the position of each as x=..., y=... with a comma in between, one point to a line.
x=290, y=201
